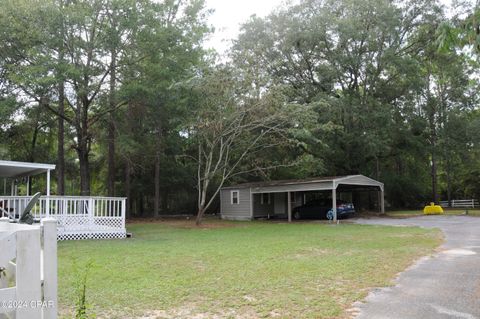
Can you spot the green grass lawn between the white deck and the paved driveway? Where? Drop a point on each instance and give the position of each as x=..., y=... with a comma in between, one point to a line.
x=239, y=269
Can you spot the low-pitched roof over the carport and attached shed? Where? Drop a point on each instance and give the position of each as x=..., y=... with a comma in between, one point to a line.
x=320, y=183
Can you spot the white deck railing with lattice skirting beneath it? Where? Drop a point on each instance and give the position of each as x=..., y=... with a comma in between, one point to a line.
x=78, y=217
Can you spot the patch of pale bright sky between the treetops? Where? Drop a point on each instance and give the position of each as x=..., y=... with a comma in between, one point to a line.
x=228, y=16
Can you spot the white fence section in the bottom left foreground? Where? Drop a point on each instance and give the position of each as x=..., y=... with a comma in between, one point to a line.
x=28, y=260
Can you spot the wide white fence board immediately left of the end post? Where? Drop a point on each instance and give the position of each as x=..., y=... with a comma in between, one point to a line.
x=28, y=274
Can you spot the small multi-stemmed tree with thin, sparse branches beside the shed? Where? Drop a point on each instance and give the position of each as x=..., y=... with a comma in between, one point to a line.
x=232, y=132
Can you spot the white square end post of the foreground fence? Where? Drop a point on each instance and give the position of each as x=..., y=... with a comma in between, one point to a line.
x=49, y=268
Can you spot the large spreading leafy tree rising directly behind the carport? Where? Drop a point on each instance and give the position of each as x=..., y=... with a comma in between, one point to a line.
x=355, y=63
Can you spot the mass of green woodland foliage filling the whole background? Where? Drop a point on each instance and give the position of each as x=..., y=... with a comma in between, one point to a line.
x=374, y=87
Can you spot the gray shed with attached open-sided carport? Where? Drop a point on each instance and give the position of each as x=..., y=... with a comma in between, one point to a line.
x=277, y=198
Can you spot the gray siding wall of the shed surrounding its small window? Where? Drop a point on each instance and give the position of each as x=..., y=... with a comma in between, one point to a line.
x=240, y=211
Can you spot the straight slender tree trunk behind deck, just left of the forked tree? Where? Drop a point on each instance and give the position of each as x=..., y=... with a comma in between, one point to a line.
x=60, y=169
